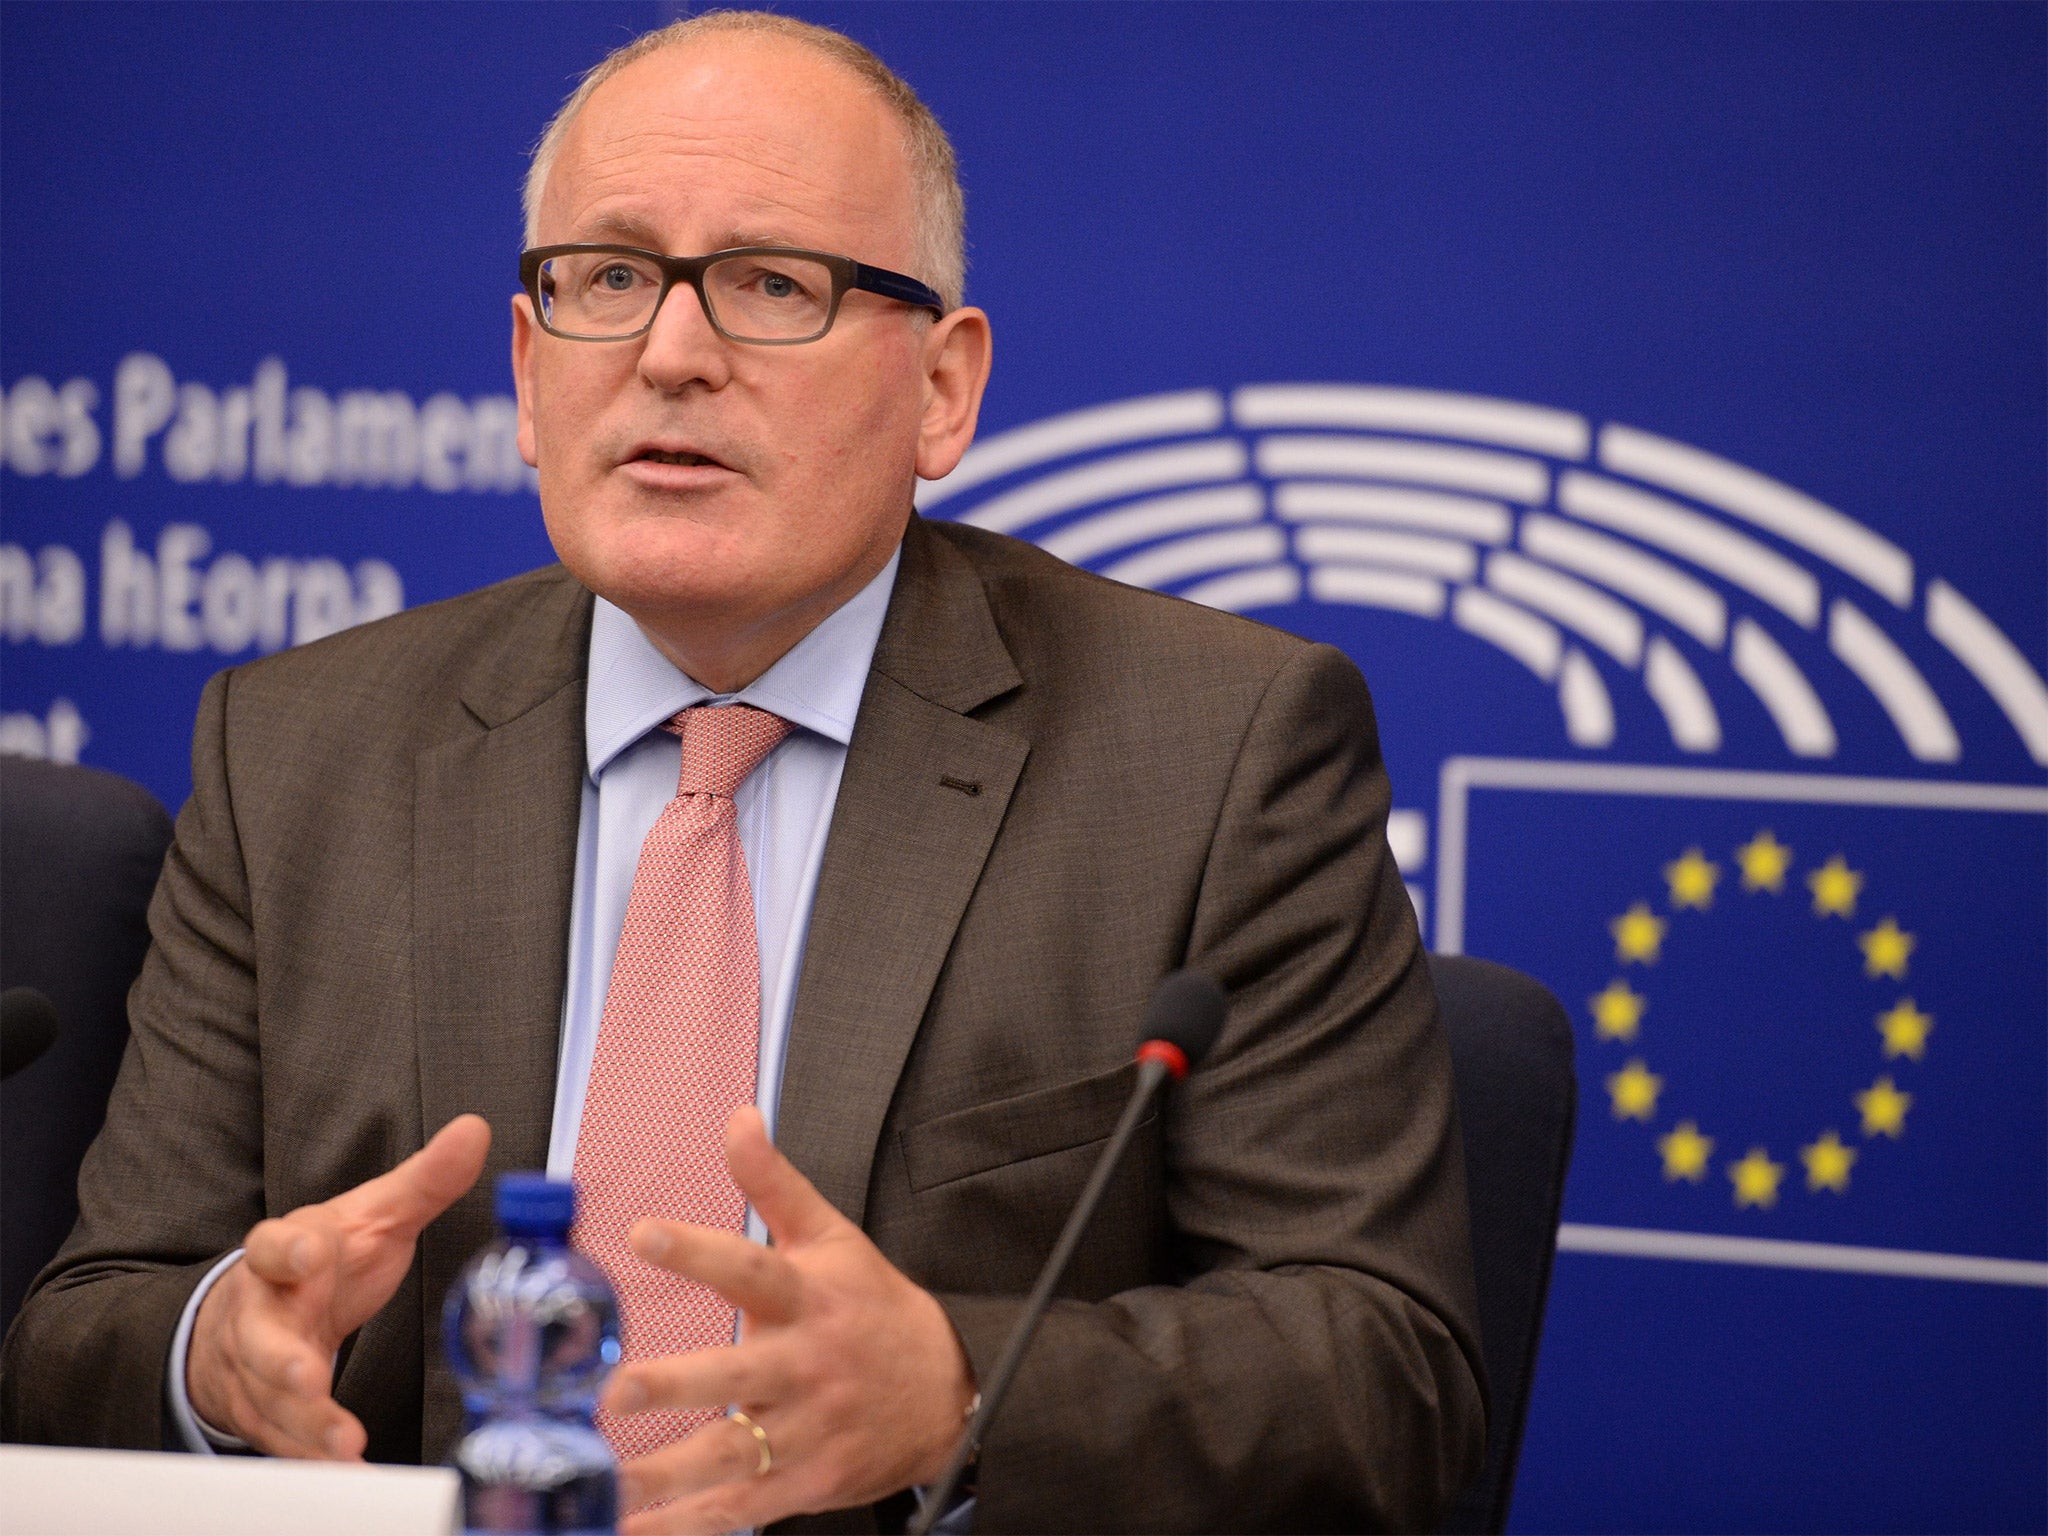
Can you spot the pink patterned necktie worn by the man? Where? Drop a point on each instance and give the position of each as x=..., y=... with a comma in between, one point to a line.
x=677, y=1056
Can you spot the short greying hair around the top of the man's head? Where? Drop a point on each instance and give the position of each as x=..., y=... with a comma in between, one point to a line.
x=941, y=208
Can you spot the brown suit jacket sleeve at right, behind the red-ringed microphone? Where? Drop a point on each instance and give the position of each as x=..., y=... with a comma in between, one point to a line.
x=1318, y=1365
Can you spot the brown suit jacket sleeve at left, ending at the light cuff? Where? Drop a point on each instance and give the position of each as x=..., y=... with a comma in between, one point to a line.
x=175, y=1177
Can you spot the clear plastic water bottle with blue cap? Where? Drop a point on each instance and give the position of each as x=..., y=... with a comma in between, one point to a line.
x=531, y=1328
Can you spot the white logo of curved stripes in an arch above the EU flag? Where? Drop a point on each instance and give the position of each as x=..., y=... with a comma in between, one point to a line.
x=1404, y=499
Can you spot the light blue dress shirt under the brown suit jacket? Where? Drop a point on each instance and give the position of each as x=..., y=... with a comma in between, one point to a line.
x=785, y=812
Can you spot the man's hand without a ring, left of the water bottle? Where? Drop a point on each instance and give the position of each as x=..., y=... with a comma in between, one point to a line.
x=261, y=1363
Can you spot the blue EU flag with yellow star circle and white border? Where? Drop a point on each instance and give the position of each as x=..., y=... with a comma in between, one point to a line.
x=1805, y=1011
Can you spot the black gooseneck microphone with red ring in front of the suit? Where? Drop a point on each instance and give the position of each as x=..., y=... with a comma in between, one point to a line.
x=1181, y=1025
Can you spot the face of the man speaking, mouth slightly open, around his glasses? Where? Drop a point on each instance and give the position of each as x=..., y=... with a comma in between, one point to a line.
x=708, y=486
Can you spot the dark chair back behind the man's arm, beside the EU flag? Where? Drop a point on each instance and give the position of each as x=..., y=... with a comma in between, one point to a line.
x=1519, y=1091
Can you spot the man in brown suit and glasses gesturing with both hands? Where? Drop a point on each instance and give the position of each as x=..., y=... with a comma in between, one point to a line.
x=372, y=966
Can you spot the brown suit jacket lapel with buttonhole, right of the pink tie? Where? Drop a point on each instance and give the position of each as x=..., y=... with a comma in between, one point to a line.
x=921, y=804
